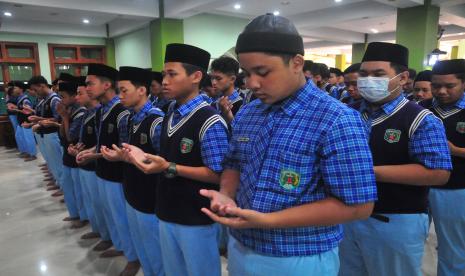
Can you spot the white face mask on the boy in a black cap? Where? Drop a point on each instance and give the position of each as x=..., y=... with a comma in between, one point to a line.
x=375, y=89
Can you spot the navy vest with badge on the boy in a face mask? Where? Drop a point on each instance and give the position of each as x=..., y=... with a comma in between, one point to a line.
x=389, y=141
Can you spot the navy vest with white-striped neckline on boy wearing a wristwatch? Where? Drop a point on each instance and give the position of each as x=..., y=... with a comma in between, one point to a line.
x=178, y=199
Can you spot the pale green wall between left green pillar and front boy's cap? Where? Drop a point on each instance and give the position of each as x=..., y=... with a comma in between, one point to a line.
x=214, y=33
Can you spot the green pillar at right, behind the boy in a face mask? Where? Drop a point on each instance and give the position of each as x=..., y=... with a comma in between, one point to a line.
x=417, y=30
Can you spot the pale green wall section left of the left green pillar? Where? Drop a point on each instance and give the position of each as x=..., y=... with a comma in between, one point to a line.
x=133, y=49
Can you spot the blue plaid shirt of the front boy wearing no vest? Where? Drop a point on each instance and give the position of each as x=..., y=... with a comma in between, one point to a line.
x=307, y=148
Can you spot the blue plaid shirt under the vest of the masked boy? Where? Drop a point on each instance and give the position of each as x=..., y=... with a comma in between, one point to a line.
x=427, y=145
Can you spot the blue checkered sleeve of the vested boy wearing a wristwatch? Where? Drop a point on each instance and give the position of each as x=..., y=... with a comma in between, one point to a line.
x=214, y=146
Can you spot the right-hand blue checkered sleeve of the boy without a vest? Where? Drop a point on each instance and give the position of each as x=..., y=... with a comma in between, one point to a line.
x=347, y=164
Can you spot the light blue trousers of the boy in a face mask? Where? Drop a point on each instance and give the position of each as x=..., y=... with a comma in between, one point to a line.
x=373, y=247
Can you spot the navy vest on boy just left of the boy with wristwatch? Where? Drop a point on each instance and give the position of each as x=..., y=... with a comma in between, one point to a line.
x=139, y=188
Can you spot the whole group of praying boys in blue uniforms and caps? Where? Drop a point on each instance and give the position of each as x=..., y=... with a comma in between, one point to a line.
x=302, y=183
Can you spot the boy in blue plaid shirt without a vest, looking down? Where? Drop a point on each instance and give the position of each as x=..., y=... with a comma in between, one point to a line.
x=298, y=163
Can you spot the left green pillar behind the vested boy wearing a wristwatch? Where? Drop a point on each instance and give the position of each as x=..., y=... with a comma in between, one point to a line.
x=163, y=32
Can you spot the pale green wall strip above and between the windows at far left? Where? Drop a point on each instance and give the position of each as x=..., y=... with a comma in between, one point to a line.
x=43, y=41
